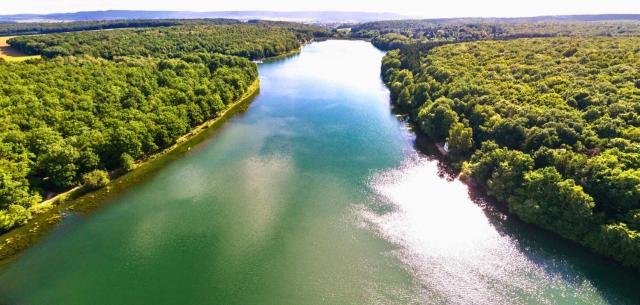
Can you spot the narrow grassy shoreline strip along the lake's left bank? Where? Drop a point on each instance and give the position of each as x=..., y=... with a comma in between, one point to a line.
x=16, y=241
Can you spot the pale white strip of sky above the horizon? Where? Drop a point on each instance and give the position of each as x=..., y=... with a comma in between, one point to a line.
x=417, y=8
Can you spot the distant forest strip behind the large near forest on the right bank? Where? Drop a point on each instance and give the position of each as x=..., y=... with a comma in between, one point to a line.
x=388, y=35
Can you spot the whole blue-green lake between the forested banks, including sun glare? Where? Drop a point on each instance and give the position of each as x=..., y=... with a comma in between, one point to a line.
x=317, y=194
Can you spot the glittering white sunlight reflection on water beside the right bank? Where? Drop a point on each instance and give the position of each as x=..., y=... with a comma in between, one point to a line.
x=452, y=248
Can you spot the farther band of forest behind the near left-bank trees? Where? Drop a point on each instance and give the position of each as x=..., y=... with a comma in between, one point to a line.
x=253, y=41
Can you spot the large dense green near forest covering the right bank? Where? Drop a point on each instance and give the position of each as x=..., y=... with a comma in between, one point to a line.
x=551, y=126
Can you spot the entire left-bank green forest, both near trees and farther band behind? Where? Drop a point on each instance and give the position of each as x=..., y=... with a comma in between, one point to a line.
x=101, y=100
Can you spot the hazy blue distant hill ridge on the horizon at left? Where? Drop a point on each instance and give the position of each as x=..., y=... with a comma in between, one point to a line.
x=315, y=17
